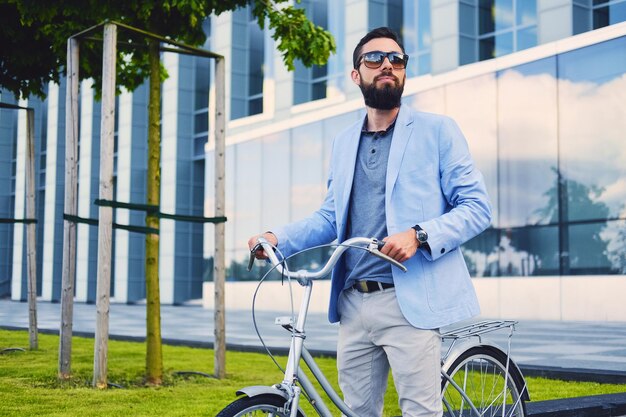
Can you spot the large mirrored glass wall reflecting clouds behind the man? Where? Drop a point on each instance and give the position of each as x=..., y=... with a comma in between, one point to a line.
x=547, y=135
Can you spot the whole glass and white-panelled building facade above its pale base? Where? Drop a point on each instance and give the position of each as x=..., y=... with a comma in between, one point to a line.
x=542, y=110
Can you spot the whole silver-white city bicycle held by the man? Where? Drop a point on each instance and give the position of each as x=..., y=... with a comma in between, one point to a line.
x=477, y=378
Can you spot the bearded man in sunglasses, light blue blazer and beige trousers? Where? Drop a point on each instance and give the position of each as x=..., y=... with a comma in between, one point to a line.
x=407, y=178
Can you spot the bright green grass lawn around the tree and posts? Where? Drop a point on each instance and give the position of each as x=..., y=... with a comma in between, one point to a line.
x=29, y=387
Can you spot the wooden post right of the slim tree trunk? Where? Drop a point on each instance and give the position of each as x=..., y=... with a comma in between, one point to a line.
x=219, y=264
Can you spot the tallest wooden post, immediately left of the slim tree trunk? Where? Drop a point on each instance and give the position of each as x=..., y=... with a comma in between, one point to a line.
x=105, y=213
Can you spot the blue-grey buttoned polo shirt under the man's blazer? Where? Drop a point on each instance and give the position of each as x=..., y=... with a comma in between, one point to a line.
x=367, y=206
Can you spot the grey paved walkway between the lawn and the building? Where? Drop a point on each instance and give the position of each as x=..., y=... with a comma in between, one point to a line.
x=595, y=347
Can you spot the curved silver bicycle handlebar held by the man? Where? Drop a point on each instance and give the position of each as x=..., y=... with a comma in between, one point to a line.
x=372, y=245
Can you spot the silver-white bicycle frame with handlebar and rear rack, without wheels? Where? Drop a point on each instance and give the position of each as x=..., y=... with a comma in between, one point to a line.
x=293, y=375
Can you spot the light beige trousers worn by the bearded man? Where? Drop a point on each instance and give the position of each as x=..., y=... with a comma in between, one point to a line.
x=374, y=335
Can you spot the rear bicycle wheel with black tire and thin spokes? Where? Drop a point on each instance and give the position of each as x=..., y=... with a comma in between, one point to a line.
x=480, y=371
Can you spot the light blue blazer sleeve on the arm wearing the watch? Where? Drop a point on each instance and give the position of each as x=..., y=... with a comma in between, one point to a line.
x=468, y=209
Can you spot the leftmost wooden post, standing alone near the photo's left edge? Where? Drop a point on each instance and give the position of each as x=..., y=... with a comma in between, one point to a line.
x=31, y=240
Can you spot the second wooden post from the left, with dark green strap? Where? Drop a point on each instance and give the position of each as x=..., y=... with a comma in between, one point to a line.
x=69, y=228
